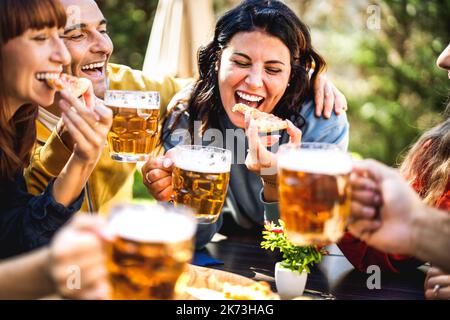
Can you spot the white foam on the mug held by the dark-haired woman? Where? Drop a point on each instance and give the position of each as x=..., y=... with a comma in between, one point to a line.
x=202, y=161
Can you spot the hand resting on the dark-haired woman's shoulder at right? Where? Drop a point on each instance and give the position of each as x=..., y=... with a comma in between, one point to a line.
x=328, y=98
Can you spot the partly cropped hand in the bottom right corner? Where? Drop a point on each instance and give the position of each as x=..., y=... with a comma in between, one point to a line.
x=437, y=285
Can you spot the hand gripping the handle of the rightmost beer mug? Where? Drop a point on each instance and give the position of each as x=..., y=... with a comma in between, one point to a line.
x=384, y=208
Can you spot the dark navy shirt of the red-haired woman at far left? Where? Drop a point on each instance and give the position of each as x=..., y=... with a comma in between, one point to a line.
x=26, y=221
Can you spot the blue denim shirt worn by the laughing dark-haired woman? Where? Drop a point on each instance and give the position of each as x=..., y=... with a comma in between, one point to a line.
x=244, y=198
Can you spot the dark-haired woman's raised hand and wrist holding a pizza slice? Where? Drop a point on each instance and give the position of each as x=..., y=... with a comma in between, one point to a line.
x=263, y=162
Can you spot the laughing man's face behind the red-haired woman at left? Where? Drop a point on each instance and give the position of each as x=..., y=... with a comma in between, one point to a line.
x=87, y=40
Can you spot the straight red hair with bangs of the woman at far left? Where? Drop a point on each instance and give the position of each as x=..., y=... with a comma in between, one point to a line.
x=18, y=133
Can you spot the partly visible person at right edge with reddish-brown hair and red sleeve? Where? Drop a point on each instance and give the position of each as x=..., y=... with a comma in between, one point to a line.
x=427, y=168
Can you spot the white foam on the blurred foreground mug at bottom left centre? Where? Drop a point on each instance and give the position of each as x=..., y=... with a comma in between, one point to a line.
x=151, y=224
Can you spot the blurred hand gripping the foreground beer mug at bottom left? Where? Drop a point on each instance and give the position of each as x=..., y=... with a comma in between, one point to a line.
x=77, y=263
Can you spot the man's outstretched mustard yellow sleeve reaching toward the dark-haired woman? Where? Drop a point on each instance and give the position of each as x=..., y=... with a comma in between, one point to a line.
x=124, y=78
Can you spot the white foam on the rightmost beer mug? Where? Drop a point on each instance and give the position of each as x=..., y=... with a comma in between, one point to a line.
x=331, y=162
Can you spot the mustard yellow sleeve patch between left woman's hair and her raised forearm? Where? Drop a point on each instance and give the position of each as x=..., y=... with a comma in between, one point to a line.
x=46, y=163
